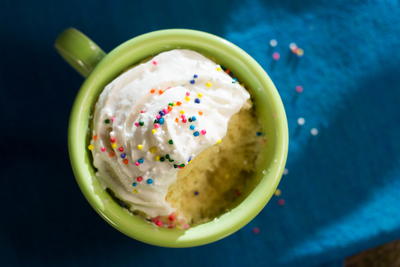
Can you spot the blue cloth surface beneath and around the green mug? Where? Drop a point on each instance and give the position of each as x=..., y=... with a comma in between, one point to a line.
x=343, y=186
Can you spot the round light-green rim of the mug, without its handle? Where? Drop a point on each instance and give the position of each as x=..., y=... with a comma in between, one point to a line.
x=115, y=214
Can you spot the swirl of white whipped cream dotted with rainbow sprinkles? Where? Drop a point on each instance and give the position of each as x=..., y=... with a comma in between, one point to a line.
x=154, y=119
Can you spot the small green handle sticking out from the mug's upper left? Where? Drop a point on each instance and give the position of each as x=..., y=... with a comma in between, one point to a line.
x=79, y=51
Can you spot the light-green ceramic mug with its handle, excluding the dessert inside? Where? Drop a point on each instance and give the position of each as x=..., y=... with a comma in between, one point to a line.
x=99, y=69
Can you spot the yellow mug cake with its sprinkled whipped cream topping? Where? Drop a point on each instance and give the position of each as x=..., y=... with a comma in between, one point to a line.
x=174, y=139
